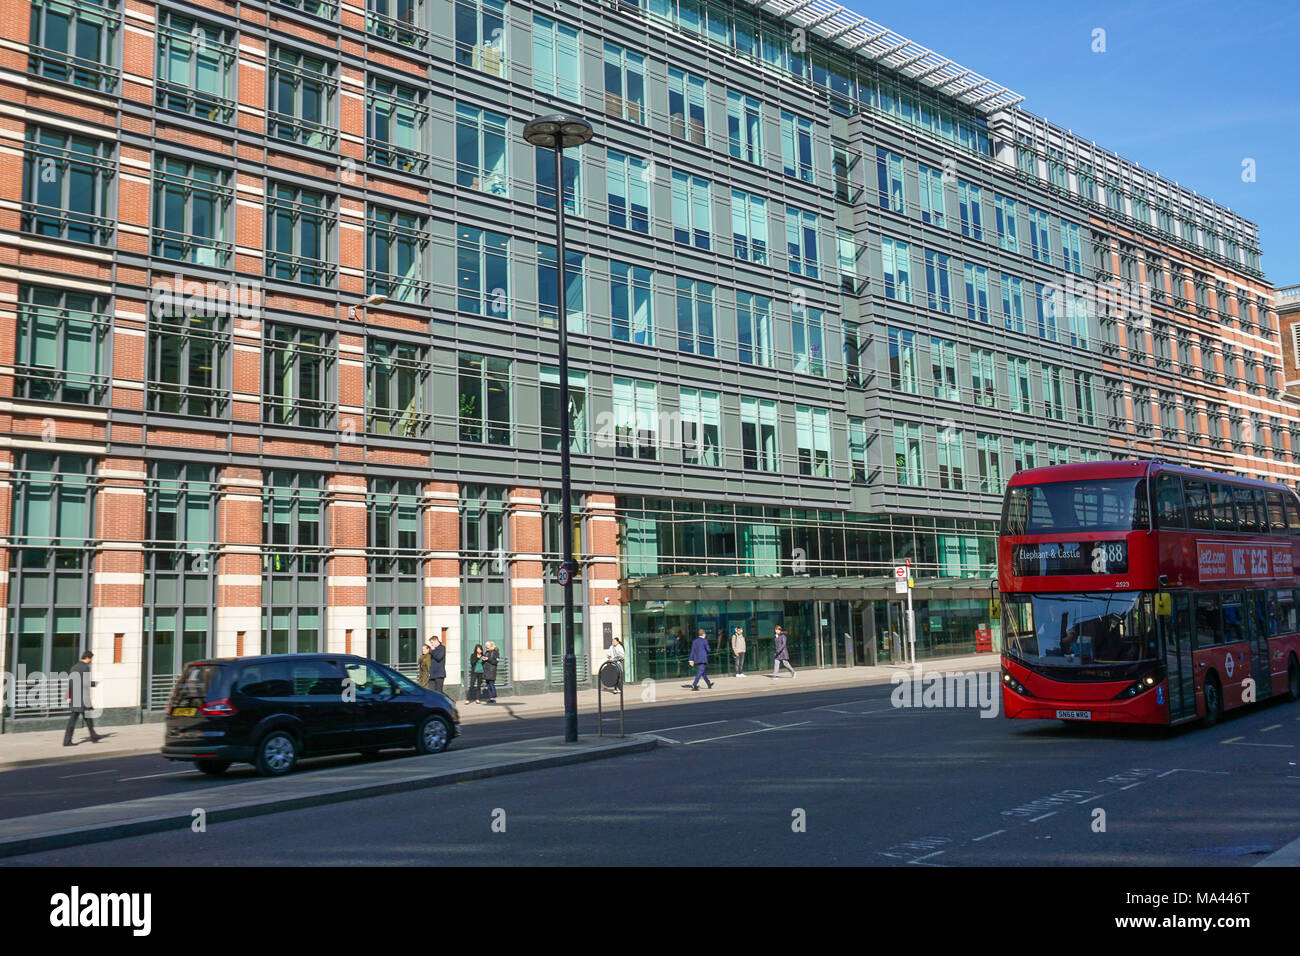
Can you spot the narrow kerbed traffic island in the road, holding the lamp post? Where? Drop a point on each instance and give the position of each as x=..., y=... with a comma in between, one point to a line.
x=300, y=790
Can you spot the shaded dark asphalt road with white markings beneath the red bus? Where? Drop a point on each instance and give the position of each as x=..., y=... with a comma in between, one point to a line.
x=834, y=777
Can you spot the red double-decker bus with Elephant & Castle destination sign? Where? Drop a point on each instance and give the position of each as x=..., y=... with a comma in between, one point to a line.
x=1146, y=592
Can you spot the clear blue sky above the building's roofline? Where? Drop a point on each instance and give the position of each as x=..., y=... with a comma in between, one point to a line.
x=1189, y=90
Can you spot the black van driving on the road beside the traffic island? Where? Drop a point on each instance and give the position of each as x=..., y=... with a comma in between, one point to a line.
x=271, y=711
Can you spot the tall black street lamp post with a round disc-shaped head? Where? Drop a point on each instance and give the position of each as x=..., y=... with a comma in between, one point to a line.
x=557, y=133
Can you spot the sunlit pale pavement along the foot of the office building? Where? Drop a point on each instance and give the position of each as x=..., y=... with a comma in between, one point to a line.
x=40, y=749
